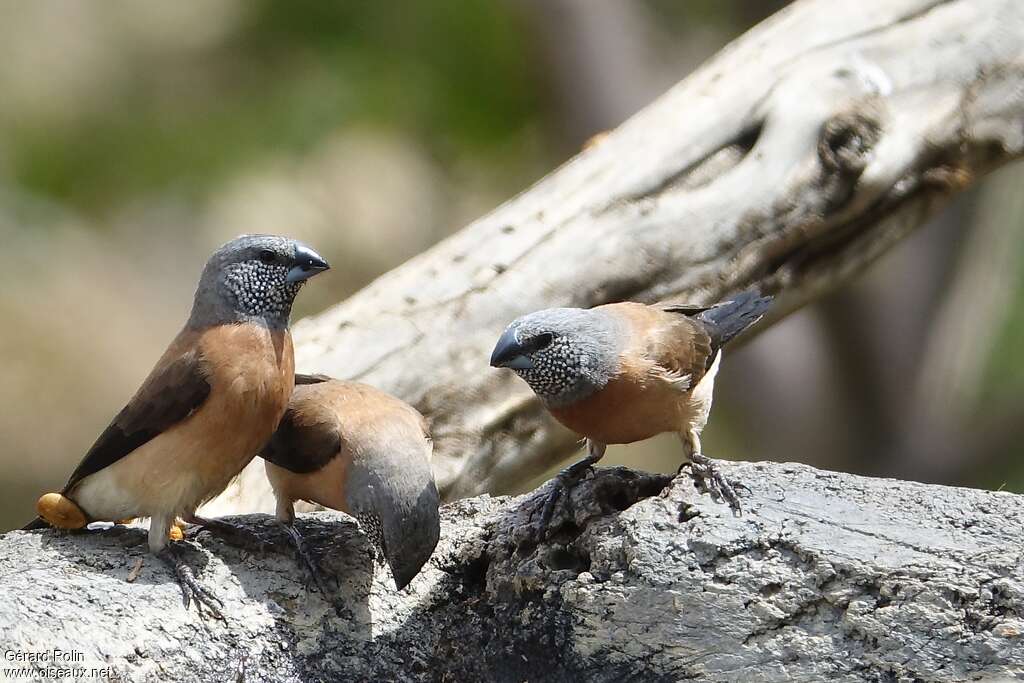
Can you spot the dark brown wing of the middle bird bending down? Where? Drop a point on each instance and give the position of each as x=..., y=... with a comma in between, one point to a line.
x=308, y=438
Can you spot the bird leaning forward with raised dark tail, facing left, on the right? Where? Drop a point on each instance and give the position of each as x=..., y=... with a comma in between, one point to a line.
x=625, y=372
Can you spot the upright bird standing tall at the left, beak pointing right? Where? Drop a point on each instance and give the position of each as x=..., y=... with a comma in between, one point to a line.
x=214, y=400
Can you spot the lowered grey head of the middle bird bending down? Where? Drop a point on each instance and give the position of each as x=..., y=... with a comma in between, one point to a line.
x=396, y=500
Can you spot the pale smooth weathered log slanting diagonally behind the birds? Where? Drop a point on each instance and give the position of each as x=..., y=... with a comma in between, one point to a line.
x=794, y=158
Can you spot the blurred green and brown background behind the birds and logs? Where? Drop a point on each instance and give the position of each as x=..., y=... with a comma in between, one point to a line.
x=136, y=137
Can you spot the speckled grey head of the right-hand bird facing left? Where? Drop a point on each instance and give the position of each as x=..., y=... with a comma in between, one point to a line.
x=565, y=355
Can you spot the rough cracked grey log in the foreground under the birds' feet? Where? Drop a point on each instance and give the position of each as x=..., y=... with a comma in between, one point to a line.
x=825, y=577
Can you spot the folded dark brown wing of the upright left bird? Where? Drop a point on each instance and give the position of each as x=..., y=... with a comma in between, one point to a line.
x=176, y=389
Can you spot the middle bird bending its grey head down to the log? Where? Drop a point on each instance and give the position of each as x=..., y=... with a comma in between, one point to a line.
x=353, y=448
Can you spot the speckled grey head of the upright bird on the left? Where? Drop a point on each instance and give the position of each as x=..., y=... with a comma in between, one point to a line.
x=254, y=278
